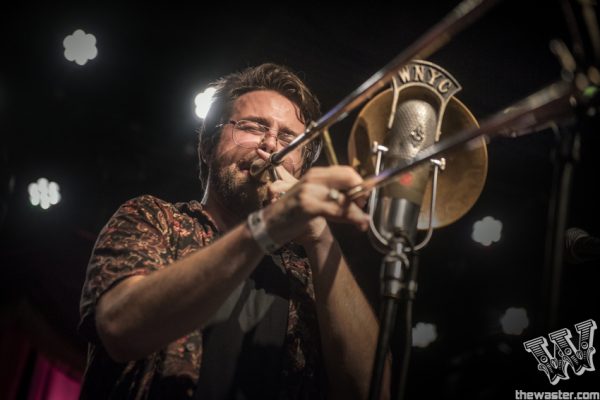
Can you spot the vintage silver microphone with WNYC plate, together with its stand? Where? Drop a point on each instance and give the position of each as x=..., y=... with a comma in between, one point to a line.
x=414, y=122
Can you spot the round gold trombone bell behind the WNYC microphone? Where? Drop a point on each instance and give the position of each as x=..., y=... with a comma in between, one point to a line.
x=462, y=181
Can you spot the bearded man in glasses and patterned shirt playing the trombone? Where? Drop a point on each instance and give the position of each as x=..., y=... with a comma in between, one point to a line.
x=219, y=300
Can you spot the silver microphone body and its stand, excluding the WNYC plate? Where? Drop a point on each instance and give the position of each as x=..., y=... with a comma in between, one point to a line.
x=395, y=221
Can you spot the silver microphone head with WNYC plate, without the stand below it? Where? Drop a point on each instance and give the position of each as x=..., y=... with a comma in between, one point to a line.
x=422, y=91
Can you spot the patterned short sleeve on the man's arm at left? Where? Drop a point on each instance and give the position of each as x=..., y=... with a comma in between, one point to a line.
x=135, y=241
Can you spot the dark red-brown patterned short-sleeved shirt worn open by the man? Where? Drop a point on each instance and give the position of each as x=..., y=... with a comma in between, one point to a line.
x=147, y=234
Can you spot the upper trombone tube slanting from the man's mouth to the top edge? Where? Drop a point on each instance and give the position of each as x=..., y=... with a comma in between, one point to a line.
x=459, y=18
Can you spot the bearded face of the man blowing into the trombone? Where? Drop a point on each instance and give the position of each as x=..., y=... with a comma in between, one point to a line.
x=230, y=163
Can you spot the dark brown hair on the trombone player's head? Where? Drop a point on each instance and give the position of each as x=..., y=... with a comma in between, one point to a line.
x=263, y=77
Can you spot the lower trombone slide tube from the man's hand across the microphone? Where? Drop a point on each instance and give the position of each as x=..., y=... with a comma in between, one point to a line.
x=551, y=103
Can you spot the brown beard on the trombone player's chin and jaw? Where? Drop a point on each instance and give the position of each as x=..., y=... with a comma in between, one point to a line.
x=241, y=194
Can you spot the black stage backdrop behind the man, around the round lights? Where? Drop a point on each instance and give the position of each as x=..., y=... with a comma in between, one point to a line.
x=124, y=125
